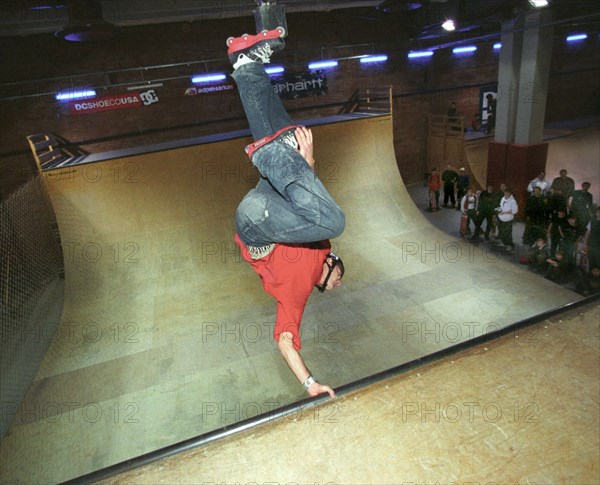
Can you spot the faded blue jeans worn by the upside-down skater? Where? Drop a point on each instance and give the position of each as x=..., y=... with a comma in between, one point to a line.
x=289, y=204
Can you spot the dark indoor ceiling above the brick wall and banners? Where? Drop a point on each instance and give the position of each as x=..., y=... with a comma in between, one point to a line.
x=419, y=19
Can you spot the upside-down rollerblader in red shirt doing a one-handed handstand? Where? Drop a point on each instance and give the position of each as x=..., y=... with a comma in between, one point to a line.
x=283, y=224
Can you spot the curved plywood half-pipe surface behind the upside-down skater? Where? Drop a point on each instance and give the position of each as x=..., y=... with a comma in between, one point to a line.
x=167, y=333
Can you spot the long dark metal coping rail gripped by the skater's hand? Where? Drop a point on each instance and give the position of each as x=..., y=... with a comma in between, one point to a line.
x=307, y=403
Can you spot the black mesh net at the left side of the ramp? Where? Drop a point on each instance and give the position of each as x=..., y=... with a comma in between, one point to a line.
x=32, y=289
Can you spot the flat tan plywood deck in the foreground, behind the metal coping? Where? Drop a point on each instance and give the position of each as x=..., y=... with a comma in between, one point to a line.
x=519, y=410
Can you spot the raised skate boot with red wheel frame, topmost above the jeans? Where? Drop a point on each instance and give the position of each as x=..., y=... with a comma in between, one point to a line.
x=258, y=48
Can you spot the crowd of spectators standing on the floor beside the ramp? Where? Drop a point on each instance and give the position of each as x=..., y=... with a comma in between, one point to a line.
x=561, y=238
